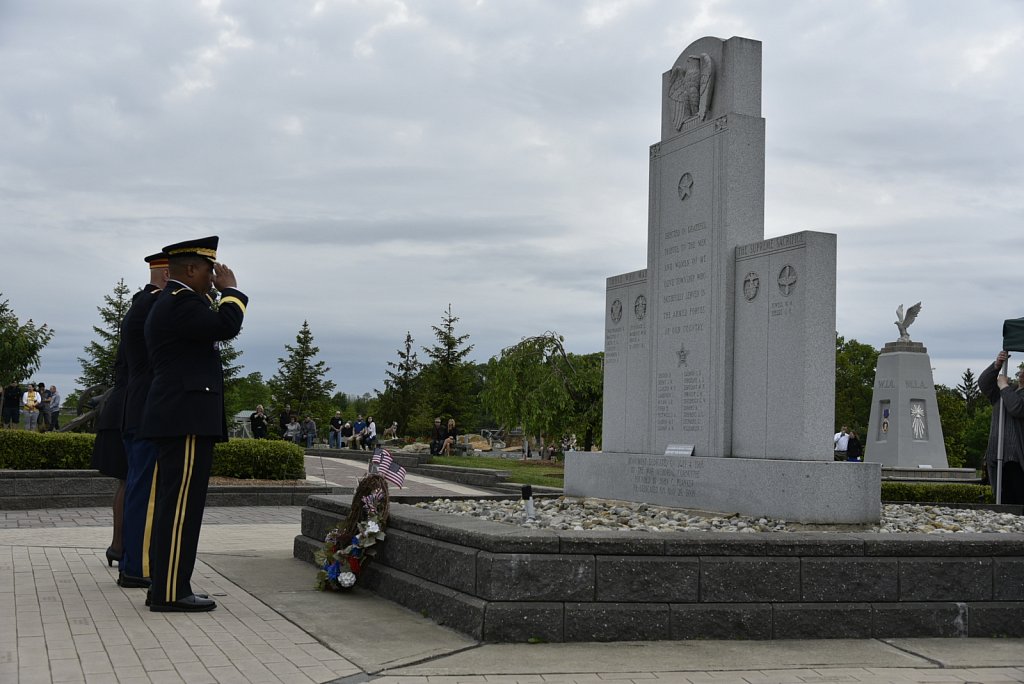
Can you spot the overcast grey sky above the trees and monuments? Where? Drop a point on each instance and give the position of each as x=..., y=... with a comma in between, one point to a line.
x=368, y=163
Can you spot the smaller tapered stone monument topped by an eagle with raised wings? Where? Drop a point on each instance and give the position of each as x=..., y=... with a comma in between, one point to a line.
x=905, y=431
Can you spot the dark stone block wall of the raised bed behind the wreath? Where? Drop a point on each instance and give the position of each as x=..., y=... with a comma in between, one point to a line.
x=503, y=584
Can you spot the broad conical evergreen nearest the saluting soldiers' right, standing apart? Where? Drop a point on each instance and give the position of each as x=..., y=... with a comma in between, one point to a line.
x=302, y=381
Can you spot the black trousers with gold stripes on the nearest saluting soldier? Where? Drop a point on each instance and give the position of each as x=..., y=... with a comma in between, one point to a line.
x=183, y=479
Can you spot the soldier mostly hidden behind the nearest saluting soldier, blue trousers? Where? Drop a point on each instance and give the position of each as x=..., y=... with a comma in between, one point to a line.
x=142, y=453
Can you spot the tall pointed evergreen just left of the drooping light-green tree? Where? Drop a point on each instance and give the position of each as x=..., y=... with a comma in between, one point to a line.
x=448, y=378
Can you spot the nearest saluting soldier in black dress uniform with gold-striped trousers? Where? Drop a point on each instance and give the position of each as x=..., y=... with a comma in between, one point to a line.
x=185, y=411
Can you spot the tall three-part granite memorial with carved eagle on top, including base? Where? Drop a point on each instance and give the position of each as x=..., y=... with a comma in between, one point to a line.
x=719, y=383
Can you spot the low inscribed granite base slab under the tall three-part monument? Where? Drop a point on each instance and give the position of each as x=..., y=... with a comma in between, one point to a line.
x=813, y=492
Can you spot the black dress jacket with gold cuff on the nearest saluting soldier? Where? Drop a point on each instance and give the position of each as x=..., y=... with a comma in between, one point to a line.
x=182, y=334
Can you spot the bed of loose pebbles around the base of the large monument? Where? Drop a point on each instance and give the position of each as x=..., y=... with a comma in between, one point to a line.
x=600, y=515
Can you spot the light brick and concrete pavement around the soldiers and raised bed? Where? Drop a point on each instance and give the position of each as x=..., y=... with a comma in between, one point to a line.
x=63, y=619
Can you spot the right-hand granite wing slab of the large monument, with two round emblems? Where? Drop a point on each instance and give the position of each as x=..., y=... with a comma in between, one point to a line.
x=786, y=312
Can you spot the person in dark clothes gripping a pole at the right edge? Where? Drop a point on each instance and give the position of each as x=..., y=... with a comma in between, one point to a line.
x=1008, y=425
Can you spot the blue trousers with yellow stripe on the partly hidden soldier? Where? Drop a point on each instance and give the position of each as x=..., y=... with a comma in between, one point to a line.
x=141, y=499
